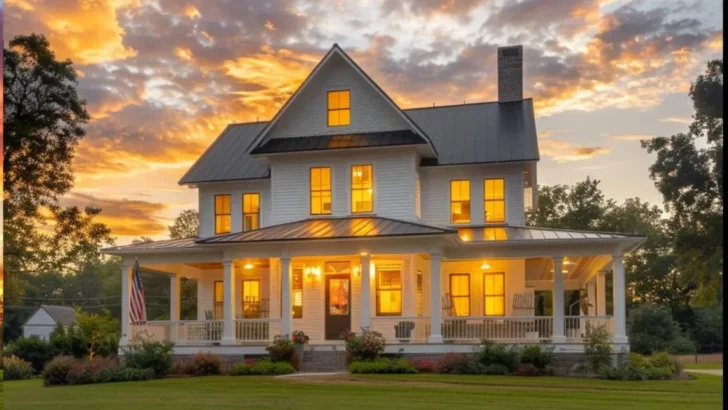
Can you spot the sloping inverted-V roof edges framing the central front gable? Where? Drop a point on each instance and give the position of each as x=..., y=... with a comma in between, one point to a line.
x=336, y=50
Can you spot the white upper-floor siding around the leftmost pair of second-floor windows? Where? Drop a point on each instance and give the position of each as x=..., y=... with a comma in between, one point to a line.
x=235, y=190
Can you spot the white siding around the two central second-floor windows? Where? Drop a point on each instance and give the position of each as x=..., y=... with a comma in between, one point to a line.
x=394, y=183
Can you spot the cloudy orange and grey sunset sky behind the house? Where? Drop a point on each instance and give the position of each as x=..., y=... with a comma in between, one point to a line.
x=163, y=78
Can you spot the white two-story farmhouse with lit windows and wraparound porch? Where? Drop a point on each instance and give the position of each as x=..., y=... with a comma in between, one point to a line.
x=346, y=212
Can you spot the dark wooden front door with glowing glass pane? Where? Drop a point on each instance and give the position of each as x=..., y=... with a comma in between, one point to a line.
x=338, y=305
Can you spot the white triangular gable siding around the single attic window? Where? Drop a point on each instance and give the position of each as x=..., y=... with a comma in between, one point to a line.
x=307, y=115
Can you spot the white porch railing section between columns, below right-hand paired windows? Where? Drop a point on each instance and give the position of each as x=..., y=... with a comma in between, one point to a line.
x=526, y=328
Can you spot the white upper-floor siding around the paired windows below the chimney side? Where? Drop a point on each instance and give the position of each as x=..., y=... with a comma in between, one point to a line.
x=436, y=191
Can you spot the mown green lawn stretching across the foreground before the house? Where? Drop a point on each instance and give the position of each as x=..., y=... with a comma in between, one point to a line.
x=371, y=391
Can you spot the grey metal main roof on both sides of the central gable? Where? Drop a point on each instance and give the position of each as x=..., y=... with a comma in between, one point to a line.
x=461, y=134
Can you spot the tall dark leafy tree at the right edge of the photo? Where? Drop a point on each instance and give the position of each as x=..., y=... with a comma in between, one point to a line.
x=688, y=172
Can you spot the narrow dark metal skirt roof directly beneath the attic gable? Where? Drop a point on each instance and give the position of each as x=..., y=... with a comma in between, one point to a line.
x=340, y=141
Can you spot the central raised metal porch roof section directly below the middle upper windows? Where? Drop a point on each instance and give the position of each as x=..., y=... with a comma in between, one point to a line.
x=330, y=228
